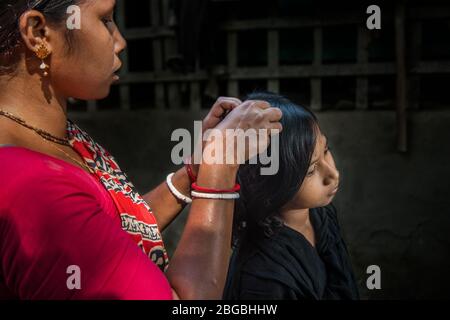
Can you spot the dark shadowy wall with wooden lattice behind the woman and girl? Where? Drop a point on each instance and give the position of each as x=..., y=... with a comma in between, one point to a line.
x=390, y=144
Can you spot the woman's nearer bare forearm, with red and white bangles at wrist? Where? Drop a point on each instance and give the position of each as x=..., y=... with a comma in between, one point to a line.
x=199, y=266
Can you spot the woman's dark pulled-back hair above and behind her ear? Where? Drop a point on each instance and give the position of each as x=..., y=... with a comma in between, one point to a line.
x=55, y=11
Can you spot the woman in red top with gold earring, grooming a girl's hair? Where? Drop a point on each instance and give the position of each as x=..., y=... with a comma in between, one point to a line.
x=66, y=208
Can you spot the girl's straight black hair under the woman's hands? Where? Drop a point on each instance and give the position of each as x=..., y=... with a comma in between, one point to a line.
x=262, y=196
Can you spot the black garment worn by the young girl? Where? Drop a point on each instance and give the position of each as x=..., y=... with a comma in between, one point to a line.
x=287, y=266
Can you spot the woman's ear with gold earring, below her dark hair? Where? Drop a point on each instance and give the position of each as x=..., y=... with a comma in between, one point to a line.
x=34, y=30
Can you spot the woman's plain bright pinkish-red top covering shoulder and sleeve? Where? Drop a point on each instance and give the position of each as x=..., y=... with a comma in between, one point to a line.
x=52, y=220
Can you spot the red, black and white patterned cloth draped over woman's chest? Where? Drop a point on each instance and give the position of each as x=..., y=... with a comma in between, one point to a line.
x=136, y=215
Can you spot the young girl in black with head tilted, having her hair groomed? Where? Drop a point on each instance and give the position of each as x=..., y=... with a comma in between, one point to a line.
x=287, y=241
